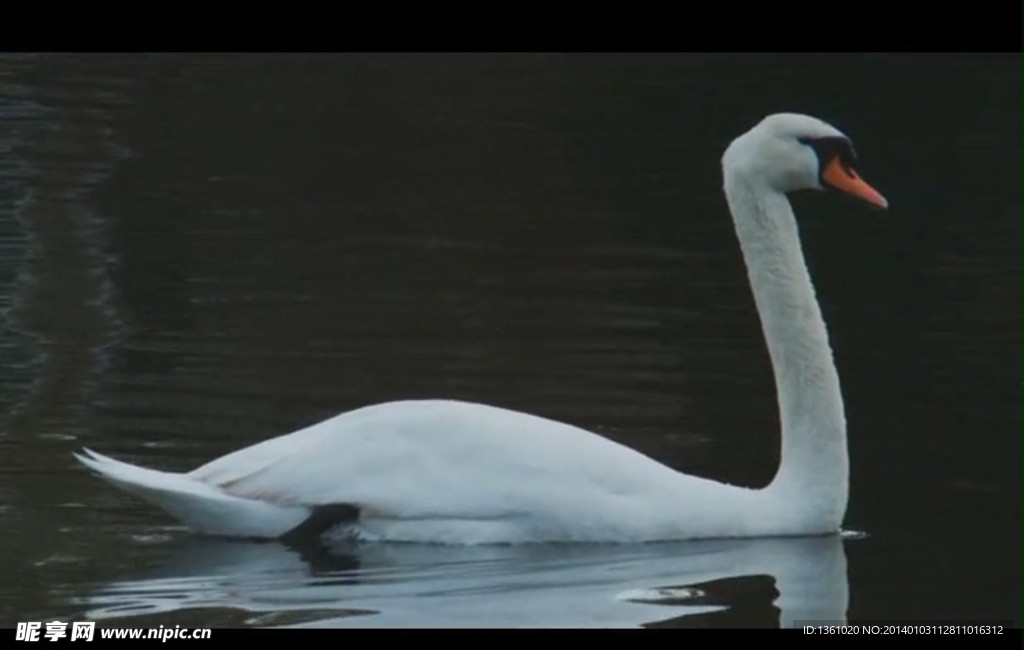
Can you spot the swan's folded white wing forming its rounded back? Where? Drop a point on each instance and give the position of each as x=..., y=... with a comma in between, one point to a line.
x=442, y=459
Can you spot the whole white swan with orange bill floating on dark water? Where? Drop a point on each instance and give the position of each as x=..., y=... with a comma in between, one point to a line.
x=453, y=472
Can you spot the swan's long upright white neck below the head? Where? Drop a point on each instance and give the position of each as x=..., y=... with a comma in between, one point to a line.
x=814, y=474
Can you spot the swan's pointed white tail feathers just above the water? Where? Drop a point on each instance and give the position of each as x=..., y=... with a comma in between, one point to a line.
x=198, y=505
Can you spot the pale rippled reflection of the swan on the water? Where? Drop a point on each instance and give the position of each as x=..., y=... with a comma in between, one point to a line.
x=724, y=583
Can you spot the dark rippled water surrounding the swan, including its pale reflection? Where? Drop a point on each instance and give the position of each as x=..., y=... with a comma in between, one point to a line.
x=199, y=252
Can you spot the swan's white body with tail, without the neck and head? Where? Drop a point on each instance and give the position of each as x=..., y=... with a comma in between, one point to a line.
x=452, y=472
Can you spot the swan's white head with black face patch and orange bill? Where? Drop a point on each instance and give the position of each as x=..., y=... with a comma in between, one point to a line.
x=790, y=152
